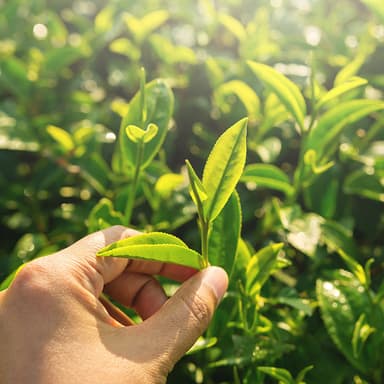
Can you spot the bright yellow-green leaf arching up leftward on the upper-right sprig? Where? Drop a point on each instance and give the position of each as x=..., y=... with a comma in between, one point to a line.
x=288, y=92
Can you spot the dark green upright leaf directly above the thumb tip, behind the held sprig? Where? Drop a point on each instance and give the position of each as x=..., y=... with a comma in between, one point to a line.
x=224, y=235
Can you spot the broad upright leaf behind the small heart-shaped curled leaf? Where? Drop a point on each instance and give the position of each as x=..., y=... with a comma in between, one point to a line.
x=159, y=101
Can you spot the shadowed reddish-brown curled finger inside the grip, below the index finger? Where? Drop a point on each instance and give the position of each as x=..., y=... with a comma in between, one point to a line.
x=139, y=291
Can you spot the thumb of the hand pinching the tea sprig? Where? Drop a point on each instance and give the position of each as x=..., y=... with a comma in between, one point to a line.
x=186, y=315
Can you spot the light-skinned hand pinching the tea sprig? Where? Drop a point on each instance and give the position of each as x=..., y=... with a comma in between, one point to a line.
x=55, y=326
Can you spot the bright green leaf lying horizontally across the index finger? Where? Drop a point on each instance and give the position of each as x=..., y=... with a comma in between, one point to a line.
x=155, y=246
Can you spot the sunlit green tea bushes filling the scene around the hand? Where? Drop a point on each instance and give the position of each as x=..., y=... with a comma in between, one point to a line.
x=88, y=141
